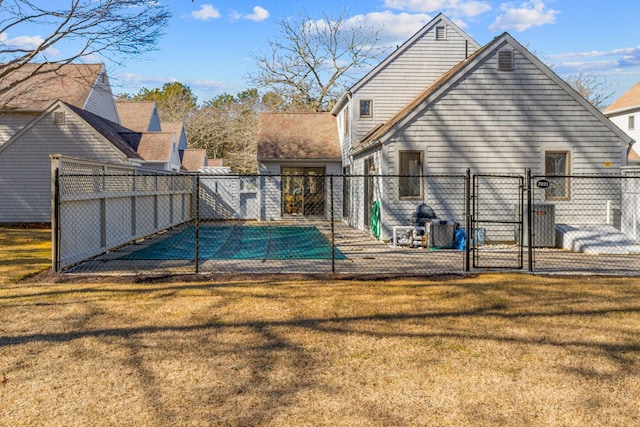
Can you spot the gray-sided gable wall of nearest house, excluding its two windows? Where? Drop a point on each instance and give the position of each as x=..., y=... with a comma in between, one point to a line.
x=499, y=123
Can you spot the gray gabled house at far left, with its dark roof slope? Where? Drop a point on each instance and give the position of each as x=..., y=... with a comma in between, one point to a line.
x=25, y=163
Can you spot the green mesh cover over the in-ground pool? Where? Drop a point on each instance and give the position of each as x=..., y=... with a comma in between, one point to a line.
x=241, y=242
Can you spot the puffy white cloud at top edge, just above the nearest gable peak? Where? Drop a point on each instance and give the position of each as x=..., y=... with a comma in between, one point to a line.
x=519, y=18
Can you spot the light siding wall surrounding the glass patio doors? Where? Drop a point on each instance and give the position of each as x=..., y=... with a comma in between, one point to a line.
x=271, y=184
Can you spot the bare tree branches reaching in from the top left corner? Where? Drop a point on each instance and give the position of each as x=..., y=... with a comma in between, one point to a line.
x=84, y=30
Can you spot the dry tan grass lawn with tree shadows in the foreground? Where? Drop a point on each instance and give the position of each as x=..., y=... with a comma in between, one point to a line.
x=494, y=349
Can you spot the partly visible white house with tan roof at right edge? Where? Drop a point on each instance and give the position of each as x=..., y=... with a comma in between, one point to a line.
x=625, y=113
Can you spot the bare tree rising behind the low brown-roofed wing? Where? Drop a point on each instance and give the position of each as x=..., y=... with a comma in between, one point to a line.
x=308, y=64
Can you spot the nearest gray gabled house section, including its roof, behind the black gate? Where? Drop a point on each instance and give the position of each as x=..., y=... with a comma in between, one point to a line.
x=499, y=111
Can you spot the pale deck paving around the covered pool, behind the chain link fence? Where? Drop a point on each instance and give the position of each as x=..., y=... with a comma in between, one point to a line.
x=365, y=256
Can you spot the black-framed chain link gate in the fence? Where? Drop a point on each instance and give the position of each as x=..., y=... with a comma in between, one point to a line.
x=497, y=221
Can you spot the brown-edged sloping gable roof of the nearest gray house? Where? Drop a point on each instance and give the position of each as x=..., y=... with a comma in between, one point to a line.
x=383, y=131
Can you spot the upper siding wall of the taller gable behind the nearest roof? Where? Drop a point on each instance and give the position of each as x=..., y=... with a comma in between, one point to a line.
x=401, y=80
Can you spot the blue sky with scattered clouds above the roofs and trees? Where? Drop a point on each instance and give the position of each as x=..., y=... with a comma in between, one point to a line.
x=208, y=44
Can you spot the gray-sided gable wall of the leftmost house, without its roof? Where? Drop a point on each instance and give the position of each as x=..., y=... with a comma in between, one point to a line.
x=25, y=165
